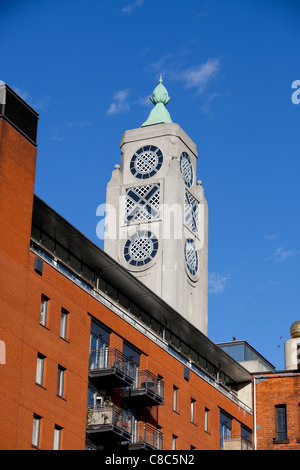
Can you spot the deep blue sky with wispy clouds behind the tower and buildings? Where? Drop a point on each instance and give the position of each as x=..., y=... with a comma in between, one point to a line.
x=89, y=67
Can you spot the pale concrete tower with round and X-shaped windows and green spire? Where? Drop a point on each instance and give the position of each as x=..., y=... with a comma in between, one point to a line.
x=157, y=217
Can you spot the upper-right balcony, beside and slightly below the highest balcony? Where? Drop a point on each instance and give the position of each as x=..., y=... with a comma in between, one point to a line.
x=147, y=389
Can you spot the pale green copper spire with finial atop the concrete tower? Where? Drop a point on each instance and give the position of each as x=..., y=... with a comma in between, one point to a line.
x=160, y=98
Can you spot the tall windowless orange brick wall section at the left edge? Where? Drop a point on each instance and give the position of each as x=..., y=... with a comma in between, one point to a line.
x=17, y=171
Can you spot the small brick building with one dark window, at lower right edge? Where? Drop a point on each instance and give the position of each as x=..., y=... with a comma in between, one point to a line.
x=276, y=401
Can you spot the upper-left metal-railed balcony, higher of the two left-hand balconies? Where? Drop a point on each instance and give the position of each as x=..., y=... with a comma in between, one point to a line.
x=113, y=366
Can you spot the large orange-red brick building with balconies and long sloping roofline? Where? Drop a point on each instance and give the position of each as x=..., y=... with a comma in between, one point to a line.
x=90, y=357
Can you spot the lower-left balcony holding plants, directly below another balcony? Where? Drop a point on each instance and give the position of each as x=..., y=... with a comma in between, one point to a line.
x=109, y=423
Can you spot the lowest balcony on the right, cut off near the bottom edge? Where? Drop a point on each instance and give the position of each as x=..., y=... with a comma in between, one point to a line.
x=146, y=437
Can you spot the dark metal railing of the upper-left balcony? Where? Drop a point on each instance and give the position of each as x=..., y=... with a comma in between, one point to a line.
x=108, y=361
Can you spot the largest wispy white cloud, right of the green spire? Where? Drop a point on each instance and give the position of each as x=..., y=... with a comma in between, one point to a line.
x=199, y=76
